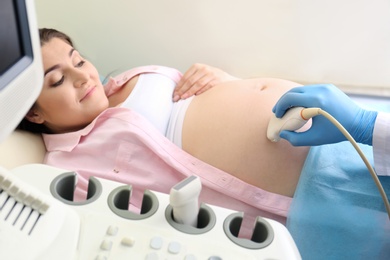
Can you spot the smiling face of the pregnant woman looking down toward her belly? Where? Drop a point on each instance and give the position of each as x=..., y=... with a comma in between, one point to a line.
x=72, y=95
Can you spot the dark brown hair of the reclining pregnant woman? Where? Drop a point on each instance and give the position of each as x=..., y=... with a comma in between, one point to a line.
x=45, y=36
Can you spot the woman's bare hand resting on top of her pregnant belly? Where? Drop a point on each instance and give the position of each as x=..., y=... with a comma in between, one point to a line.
x=199, y=78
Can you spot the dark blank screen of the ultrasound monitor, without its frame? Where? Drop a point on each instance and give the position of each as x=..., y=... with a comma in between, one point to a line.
x=10, y=44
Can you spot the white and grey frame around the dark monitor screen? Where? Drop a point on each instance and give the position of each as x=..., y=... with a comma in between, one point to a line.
x=22, y=82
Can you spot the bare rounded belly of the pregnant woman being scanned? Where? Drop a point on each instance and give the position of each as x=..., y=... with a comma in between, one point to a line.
x=226, y=127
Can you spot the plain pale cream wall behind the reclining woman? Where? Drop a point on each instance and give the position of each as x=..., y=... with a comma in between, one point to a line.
x=345, y=42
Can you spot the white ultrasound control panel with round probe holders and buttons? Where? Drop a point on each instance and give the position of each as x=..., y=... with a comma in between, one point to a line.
x=102, y=226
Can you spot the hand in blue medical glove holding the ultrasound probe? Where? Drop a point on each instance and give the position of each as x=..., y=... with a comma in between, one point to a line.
x=357, y=121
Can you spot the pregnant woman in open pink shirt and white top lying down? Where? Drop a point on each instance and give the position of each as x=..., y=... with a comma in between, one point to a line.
x=132, y=130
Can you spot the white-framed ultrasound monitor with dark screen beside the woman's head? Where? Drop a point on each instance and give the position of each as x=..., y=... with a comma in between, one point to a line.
x=21, y=70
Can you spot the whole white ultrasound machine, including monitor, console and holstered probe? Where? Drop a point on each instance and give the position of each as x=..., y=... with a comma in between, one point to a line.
x=39, y=220
